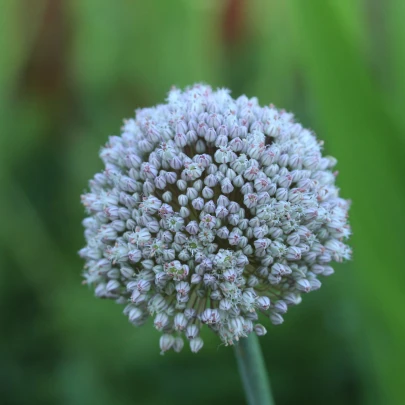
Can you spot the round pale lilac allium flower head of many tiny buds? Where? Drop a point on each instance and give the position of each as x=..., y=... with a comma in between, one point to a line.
x=211, y=211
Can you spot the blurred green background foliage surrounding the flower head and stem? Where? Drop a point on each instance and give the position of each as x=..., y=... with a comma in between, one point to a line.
x=70, y=71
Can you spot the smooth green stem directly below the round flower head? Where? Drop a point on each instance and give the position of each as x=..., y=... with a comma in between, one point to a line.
x=253, y=371
